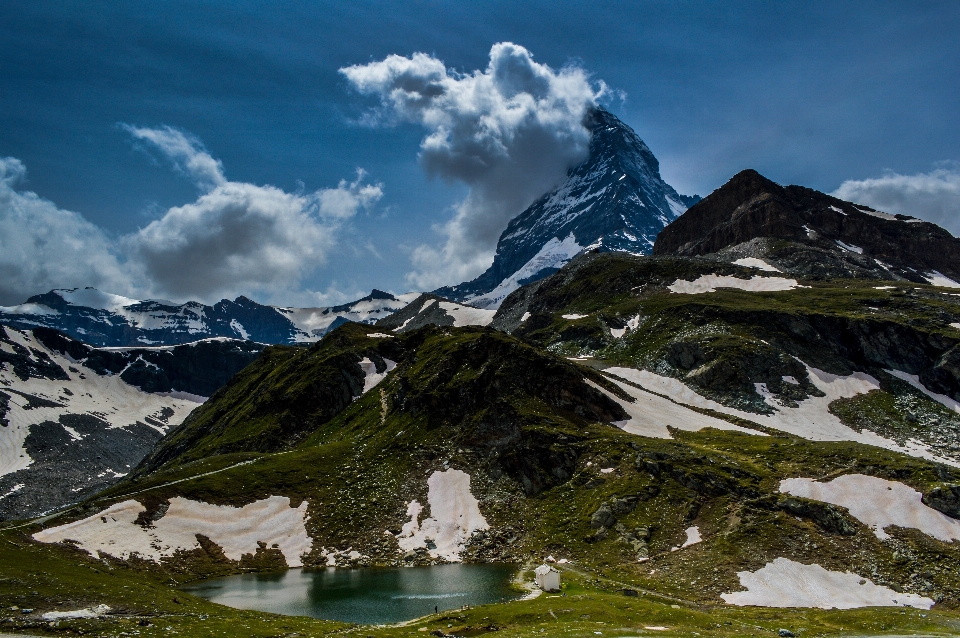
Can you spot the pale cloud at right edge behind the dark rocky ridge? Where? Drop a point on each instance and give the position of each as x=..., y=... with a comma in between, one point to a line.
x=933, y=196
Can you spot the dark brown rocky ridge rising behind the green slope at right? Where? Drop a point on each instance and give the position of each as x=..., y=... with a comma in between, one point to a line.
x=806, y=232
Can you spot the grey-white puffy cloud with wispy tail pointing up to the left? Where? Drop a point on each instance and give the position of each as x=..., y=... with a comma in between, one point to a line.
x=238, y=237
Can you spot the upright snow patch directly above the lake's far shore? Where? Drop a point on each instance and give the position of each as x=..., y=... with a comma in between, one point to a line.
x=454, y=517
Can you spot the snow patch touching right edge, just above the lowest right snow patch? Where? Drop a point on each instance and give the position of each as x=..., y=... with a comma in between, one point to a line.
x=877, y=503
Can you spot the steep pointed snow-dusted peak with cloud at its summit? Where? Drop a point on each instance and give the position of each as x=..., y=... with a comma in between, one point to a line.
x=615, y=200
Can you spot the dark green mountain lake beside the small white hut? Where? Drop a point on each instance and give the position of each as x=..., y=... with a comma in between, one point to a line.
x=369, y=596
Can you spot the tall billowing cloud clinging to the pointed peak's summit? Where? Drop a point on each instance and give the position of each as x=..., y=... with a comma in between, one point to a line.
x=510, y=132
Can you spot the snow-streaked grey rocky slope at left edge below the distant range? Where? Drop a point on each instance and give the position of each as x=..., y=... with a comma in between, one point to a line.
x=74, y=419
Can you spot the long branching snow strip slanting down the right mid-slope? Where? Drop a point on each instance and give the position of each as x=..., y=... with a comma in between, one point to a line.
x=811, y=419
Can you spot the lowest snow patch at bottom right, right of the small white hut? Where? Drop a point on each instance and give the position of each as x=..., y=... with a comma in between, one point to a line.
x=785, y=583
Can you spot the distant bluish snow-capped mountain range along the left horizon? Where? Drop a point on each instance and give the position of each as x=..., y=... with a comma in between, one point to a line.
x=103, y=319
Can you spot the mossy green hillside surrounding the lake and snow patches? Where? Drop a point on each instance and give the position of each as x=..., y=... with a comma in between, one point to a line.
x=356, y=426
